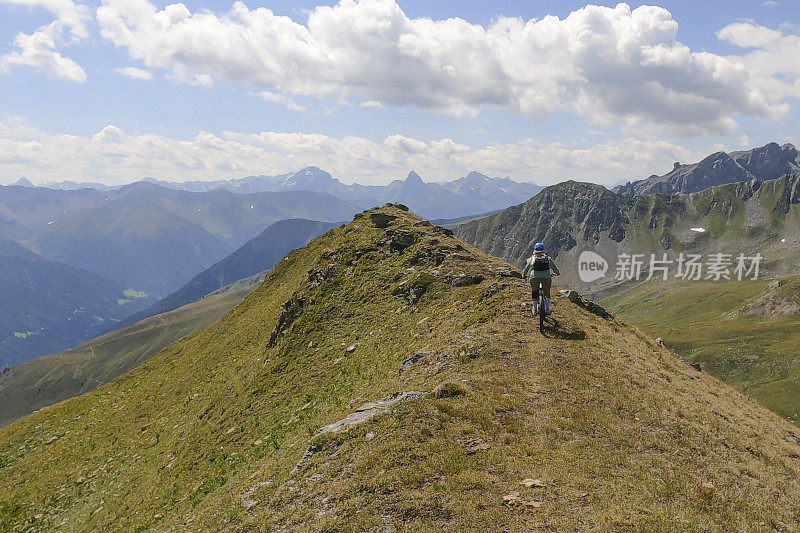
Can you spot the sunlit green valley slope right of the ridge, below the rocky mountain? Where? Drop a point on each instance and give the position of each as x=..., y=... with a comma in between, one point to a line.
x=745, y=333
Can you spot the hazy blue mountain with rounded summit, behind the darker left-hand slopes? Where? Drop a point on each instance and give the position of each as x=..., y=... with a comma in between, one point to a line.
x=147, y=237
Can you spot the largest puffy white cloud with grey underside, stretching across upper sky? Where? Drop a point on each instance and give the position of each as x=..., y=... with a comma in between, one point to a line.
x=612, y=65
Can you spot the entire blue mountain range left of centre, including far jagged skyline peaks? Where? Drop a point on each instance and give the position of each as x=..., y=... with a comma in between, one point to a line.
x=151, y=238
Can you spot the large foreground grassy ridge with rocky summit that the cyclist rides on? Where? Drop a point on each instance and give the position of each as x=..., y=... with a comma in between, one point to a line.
x=219, y=430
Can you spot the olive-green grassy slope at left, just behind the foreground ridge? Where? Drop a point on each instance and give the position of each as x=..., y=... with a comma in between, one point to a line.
x=51, y=378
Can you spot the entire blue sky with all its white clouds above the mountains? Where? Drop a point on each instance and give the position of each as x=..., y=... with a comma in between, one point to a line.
x=599, y=94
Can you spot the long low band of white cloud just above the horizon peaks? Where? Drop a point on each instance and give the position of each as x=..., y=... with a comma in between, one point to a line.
x=115, y=156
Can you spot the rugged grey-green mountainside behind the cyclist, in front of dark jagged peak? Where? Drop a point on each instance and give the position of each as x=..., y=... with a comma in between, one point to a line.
x=573, y=217
